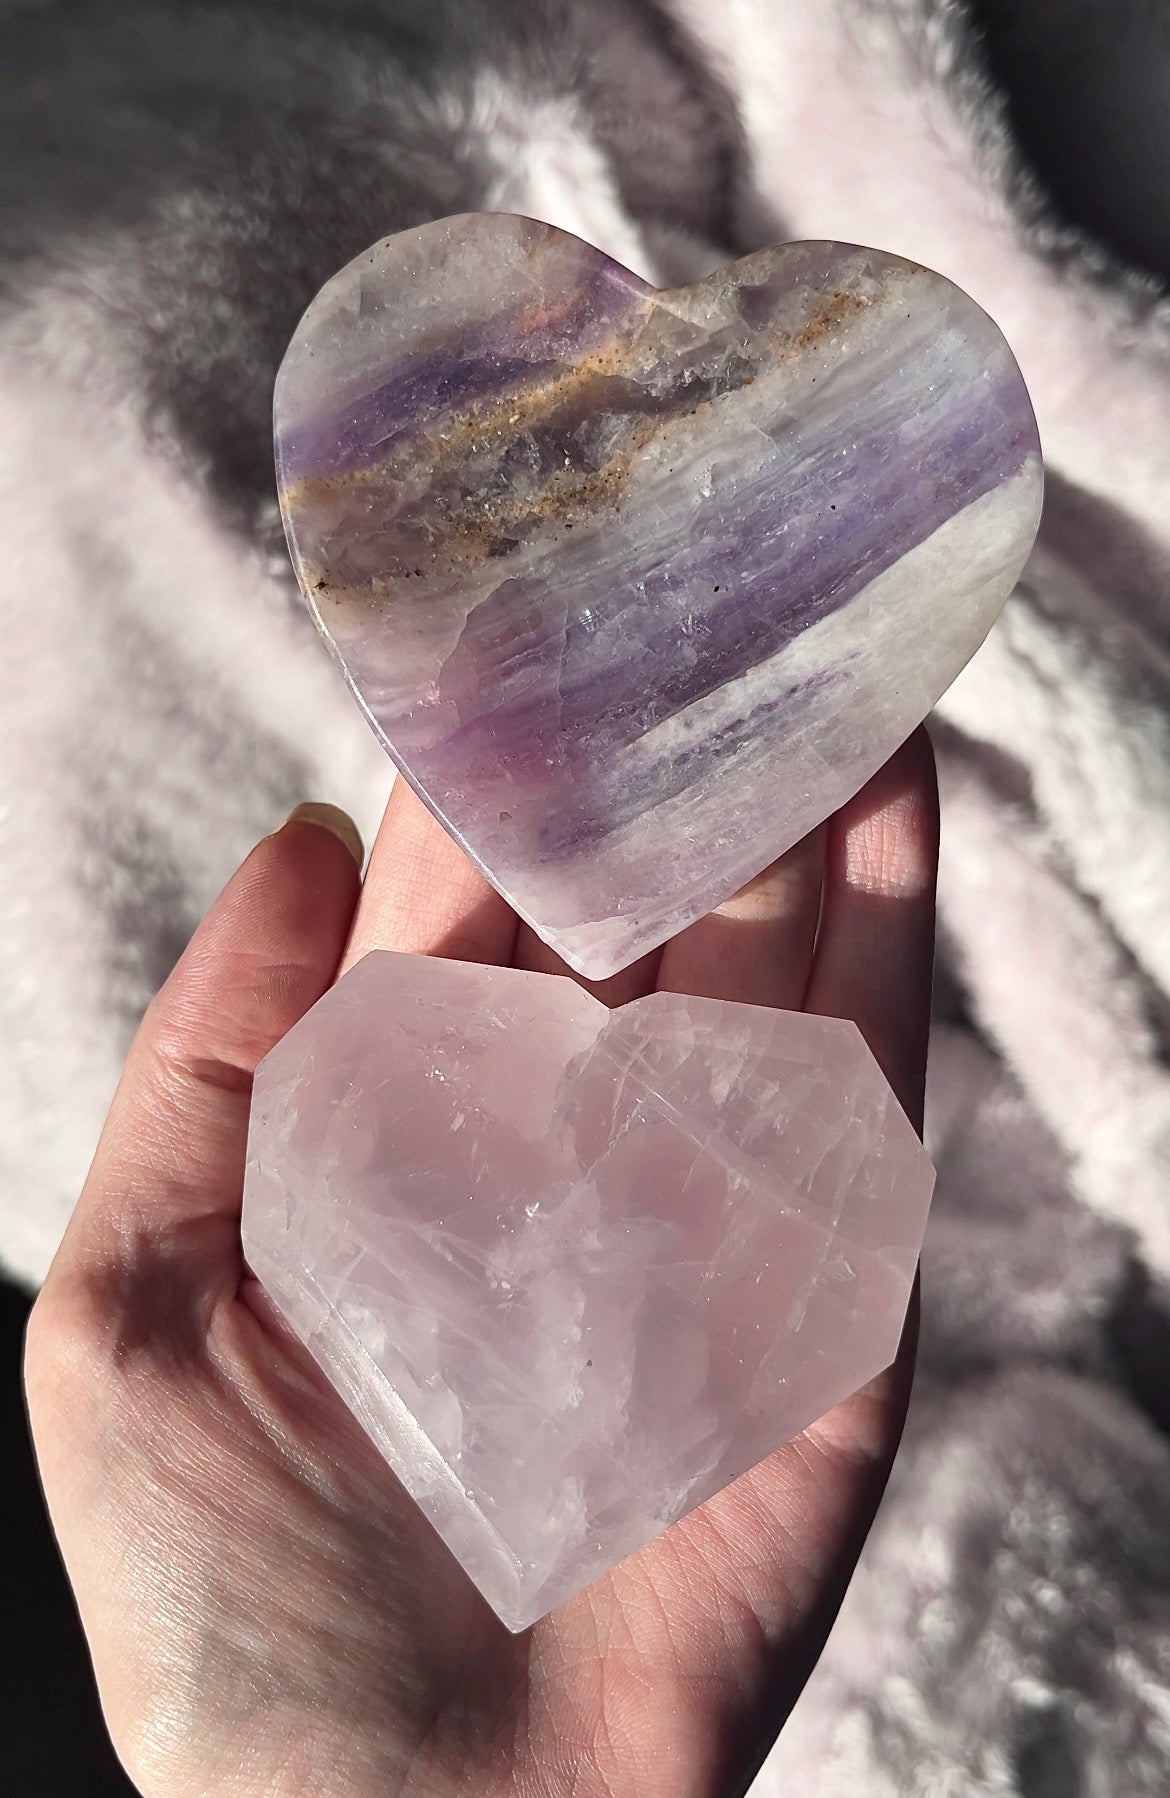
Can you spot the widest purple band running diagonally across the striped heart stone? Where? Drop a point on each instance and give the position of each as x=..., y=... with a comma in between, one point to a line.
x=786, y=587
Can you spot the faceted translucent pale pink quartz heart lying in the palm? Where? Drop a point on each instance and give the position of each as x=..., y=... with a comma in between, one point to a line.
x=576, y=1270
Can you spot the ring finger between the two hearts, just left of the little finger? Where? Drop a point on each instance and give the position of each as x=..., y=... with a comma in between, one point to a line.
x=758, y=947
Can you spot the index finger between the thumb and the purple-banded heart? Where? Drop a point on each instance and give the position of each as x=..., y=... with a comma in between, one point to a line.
x=423, y=896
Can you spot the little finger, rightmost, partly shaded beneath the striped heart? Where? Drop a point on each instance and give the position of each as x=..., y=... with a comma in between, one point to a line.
x=876, y=947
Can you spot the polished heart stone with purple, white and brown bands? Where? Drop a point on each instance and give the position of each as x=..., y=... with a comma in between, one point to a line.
x=637, y=587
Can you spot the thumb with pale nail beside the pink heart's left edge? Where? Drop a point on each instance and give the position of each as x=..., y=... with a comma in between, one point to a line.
x=173, y=1146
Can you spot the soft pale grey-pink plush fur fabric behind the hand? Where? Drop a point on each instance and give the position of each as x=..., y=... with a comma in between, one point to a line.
x=177, y=182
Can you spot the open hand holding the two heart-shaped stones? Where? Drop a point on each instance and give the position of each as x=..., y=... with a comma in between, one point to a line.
x=267, y=1610
